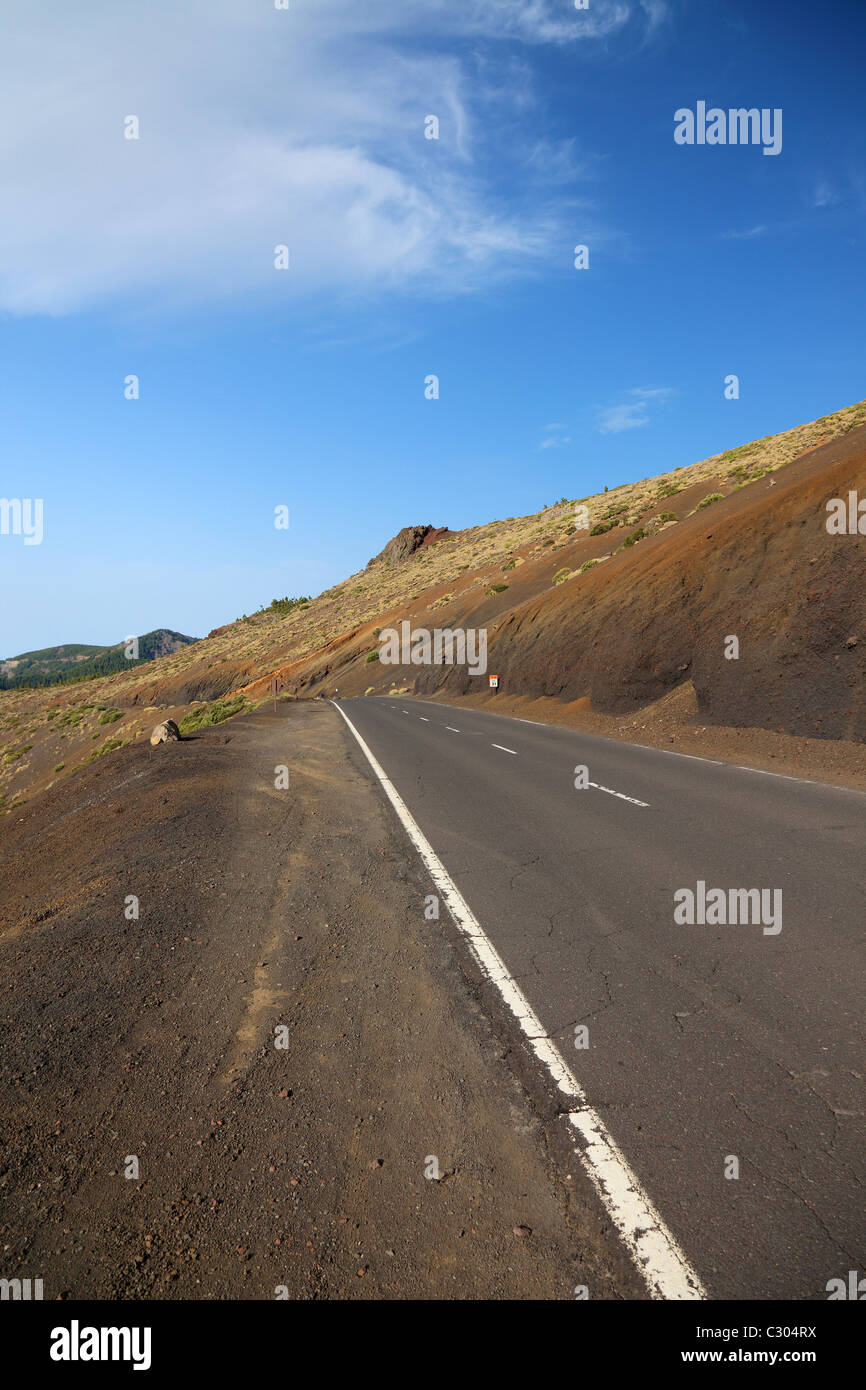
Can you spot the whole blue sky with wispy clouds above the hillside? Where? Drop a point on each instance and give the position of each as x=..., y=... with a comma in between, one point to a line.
x=409, y=258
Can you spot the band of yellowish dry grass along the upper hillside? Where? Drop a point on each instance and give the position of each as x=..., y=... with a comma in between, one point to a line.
x=59, y=723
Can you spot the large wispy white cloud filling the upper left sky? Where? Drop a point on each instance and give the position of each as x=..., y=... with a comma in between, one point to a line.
x=263, y=127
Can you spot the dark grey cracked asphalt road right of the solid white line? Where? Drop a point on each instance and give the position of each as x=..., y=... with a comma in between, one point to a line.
x=707, y=1043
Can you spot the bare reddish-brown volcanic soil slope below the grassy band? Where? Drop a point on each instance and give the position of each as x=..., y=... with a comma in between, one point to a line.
x=760, y=565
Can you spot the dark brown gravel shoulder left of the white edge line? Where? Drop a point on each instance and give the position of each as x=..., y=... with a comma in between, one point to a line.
x=155, y=1038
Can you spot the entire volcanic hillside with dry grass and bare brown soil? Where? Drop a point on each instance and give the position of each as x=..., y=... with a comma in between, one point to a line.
x=630, y=611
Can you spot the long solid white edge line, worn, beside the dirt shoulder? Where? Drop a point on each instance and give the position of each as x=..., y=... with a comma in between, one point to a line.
x=654, y=1249
